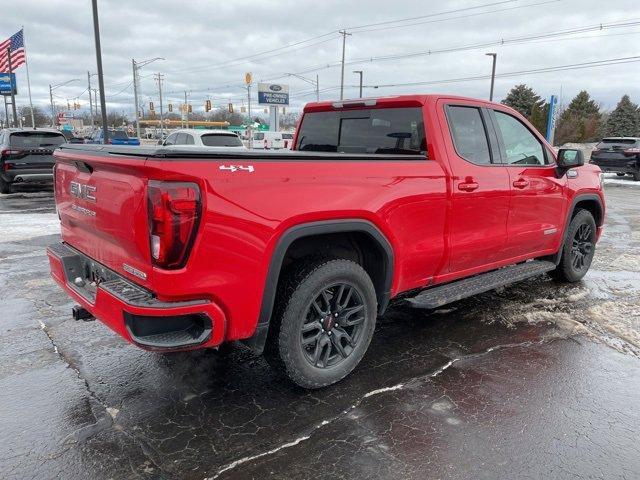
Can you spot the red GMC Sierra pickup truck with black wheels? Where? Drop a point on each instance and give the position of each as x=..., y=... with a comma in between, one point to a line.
x=425, y=198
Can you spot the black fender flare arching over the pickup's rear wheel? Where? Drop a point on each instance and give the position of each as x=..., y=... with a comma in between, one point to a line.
x=257, y=341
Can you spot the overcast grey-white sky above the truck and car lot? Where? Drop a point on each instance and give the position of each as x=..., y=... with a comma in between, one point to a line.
x=205, y=44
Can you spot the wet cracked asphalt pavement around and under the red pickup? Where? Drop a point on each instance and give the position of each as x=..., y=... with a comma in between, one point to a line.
x=537, y=380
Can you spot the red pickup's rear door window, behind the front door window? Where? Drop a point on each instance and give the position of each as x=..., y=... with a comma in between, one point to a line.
x=469, y=134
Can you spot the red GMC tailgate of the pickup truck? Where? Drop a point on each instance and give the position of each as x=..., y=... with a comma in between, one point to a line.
x=101, y=201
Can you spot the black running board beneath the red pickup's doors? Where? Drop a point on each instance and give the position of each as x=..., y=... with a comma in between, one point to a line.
x=451, y=292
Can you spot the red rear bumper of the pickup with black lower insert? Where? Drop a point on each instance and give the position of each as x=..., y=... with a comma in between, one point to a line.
x=132, y=311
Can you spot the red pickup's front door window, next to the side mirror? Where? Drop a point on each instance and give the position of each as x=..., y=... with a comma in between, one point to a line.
x=521, y=146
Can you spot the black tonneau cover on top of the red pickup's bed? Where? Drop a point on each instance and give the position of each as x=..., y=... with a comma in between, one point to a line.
x=177, y=152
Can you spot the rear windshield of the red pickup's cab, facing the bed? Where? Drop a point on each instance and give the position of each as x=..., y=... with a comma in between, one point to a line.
x=373, y=131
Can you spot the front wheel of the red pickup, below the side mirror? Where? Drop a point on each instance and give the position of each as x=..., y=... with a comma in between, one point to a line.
x=578, y=248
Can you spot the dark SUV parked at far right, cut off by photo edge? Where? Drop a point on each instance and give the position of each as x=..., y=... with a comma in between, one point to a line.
x=618, y=154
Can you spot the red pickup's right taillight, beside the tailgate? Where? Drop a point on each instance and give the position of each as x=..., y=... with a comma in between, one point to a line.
x=174, y=213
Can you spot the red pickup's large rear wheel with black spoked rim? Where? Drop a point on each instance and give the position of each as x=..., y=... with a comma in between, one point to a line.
x=323, y=322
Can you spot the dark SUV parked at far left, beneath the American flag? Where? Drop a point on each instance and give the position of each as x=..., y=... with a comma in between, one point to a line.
x=26, y=155
